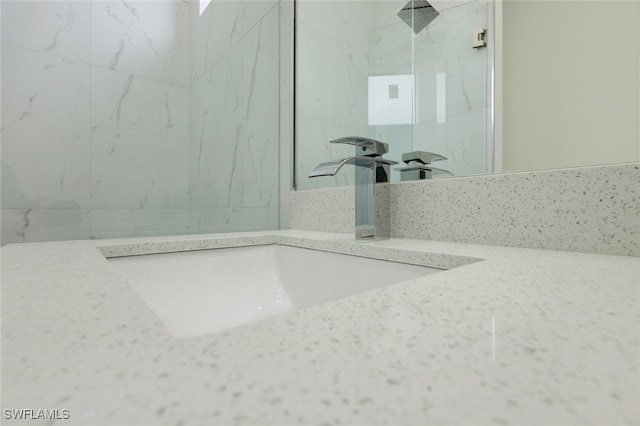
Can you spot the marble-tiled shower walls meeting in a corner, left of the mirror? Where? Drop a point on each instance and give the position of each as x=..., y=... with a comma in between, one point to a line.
x=139, y=118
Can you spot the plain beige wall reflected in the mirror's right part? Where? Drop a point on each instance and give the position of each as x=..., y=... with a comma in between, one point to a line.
x=571, y=83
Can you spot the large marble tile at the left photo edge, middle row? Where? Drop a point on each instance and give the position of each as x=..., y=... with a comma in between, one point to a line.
x=45, y=156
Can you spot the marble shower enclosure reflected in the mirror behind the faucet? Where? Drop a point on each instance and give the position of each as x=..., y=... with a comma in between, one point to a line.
x=390, y=71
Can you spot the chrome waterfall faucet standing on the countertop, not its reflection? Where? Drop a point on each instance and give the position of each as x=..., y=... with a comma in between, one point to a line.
x=371, y=168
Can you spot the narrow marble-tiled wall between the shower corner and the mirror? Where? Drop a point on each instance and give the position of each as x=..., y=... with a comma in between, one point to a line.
x=234, y=145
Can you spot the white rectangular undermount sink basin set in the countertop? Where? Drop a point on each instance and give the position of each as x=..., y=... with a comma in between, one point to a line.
x=200, y=292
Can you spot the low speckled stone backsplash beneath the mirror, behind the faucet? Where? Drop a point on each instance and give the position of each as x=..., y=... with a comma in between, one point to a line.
x=588, y=209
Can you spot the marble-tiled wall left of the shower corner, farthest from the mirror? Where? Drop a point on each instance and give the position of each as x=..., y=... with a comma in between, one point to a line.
x=94, y=119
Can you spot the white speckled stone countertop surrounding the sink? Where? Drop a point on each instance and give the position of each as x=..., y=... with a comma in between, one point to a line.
x=521, y=337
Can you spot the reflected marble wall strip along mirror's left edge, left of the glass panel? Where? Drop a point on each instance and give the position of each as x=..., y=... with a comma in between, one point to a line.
x=331, y=84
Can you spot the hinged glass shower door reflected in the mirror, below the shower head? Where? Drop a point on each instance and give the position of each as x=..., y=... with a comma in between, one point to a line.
x=430, y=91
